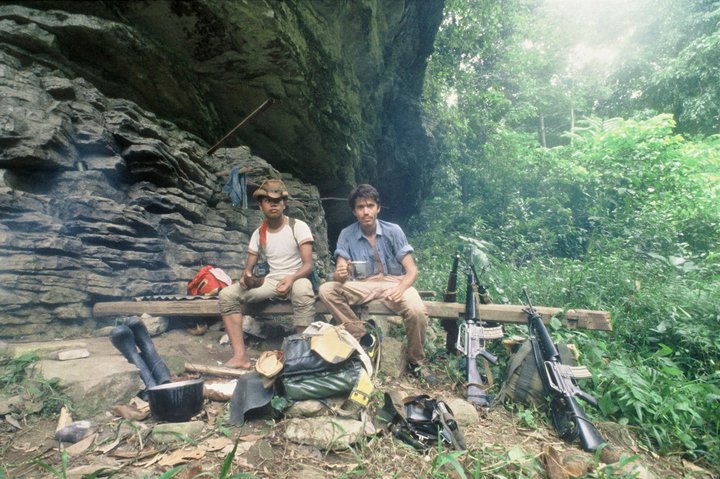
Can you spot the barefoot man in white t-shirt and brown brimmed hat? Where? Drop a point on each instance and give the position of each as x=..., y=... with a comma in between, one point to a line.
x=286, y=245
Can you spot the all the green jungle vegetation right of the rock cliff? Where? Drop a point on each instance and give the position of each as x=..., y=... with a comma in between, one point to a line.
x=594, y=181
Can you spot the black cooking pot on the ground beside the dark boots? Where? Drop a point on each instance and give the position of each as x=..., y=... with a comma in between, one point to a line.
x=176, y=402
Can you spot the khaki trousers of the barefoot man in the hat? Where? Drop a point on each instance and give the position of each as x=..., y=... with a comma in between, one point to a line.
x=303, y=299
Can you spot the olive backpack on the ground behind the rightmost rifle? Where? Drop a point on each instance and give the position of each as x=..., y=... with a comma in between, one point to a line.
x=522, y=383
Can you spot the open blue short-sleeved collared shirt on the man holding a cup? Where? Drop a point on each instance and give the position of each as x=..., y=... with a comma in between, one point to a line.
x=390, y=241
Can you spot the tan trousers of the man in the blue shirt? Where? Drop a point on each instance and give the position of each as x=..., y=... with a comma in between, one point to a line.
x=339, y=297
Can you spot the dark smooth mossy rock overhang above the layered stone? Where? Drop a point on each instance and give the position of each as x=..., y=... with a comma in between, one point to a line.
x=346, y=76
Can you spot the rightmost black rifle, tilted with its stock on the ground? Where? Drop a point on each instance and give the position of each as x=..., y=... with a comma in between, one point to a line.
x=560, y=387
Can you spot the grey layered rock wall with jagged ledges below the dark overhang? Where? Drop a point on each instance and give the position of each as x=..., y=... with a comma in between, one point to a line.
x=101, y=200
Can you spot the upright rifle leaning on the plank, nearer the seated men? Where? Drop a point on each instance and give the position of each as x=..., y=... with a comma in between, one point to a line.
x=471, y=340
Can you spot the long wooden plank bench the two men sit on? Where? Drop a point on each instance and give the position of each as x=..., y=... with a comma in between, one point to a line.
x=209, y=307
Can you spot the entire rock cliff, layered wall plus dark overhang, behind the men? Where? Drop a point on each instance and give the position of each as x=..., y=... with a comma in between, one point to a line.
x=108, y=109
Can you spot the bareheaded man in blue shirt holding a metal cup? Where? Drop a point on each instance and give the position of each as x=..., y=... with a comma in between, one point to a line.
x=373, y=261
